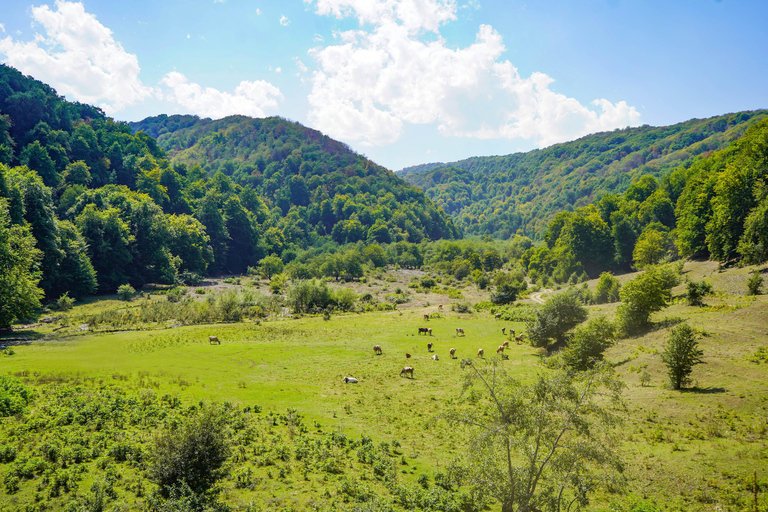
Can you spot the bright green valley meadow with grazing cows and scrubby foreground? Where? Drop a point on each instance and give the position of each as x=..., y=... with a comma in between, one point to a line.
x=697, y=449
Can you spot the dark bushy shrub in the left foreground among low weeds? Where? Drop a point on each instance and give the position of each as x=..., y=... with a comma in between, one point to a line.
x=192, y=455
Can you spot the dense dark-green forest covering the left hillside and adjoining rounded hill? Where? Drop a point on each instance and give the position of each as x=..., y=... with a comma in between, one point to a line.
x=87, y=205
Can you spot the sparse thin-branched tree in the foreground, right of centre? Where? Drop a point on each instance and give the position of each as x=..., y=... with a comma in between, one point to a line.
x=544, y=446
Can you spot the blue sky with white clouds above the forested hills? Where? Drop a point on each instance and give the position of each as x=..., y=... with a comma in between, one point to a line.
x=404, y=82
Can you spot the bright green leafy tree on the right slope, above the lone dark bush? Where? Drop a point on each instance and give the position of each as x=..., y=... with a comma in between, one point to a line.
x=647, y=293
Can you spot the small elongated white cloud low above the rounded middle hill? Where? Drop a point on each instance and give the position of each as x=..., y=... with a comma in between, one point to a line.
x=253, y=99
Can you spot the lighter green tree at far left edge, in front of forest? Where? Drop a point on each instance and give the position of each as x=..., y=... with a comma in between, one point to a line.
x=19, y=294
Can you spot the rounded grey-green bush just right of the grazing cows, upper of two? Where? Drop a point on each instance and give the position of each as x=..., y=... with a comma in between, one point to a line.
x=560, y=314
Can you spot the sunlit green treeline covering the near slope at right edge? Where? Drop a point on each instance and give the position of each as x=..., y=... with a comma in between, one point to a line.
x=715, y=208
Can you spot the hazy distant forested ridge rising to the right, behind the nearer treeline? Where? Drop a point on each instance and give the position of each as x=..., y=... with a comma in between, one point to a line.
x=501, y=195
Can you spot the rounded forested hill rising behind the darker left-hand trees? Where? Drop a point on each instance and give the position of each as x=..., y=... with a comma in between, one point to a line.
x=333, y=188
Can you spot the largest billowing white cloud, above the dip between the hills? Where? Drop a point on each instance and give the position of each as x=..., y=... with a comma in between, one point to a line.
x=371, y=83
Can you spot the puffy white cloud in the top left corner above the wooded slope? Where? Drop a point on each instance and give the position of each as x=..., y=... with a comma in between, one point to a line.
x=79, y=57
